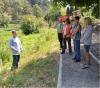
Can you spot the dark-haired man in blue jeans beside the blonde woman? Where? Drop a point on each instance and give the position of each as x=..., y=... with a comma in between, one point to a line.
x=76, y=34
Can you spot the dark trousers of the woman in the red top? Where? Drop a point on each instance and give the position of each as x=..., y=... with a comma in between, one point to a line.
x=68, y=40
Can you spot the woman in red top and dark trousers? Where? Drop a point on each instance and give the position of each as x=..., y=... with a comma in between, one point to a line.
x=67, y=35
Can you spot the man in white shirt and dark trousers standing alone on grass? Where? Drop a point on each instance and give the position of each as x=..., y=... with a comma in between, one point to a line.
x=16, y=48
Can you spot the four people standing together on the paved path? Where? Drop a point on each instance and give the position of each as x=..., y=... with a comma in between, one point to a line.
x=71, y=29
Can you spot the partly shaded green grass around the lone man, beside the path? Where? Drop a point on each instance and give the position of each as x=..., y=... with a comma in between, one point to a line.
x=39, y=60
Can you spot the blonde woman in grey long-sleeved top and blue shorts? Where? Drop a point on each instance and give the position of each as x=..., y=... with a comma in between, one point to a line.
x=87, y=38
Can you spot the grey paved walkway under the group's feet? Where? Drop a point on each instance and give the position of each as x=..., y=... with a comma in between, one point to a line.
x=73, y=76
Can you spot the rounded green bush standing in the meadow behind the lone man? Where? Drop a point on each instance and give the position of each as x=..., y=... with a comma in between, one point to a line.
x=30, y=24
